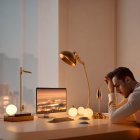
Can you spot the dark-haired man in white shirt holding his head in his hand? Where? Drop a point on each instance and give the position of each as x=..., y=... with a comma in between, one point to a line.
x=122, y=81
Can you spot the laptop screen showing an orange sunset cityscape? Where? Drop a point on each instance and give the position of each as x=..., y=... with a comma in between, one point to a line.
x=50, y=100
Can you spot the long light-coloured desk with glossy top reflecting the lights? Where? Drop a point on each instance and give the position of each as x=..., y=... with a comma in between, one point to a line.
x=40, y=129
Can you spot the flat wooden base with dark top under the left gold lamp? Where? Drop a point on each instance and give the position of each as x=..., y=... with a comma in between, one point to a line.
x=19, y=117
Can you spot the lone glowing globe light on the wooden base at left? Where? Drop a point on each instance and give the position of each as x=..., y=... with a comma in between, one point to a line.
x=11, y=109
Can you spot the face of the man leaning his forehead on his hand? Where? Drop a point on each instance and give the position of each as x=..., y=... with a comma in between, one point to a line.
x=122, y=87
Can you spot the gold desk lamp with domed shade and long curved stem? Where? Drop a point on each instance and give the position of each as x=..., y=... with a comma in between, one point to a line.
x=71, y=59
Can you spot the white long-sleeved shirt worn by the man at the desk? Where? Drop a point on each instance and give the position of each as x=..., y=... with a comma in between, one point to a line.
x=132, y=107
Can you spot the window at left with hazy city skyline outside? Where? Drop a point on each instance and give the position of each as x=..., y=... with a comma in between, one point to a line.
x=18, y=47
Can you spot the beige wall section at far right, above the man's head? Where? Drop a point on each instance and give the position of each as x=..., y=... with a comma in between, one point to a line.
x=128, y=35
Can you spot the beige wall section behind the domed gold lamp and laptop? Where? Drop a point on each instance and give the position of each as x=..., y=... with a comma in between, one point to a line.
x=87, y=27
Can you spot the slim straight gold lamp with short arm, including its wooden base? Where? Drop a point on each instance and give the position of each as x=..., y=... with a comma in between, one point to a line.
x=21, y=116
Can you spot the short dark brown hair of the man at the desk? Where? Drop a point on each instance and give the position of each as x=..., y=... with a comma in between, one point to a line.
x=121, y=73
